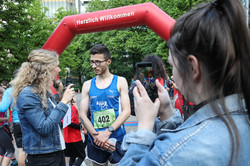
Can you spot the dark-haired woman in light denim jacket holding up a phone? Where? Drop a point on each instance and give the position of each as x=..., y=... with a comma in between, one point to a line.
x=209, y=52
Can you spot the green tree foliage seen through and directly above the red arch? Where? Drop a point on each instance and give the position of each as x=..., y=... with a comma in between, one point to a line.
x=130, y=45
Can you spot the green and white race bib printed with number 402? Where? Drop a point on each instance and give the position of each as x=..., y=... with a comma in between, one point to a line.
x=104, y=118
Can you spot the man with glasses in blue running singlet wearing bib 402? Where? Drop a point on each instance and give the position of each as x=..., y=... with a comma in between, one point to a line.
x=107, y=97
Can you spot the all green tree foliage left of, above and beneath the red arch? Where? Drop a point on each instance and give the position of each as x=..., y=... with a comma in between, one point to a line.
x=24, y=26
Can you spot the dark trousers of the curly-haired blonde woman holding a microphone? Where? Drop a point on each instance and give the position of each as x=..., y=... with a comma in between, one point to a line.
x=48, y=159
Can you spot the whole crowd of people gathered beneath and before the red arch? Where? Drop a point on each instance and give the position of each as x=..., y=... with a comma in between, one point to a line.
x=207, y=124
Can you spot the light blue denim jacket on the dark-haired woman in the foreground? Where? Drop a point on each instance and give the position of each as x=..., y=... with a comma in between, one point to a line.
x=203, y=139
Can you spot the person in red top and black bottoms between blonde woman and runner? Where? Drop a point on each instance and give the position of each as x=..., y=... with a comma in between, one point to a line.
x=75, y=148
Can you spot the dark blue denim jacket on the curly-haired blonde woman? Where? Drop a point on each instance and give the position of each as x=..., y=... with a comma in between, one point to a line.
x=39, y=124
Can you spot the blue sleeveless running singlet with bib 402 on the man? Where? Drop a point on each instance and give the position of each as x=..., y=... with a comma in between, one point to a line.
x=105, y=107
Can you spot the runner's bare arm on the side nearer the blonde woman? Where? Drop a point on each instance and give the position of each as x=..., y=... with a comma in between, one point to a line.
x=84, y=106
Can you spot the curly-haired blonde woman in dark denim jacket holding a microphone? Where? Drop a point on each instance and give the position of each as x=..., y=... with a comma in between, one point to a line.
x=39, y=114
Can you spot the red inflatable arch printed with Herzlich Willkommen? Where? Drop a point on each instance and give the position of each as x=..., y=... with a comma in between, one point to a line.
x=117, y=18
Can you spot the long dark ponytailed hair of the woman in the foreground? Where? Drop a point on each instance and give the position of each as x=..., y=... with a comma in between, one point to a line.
x=217, y=35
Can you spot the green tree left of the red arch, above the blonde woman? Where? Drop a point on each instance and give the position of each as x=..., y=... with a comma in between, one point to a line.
x=23, y=27
